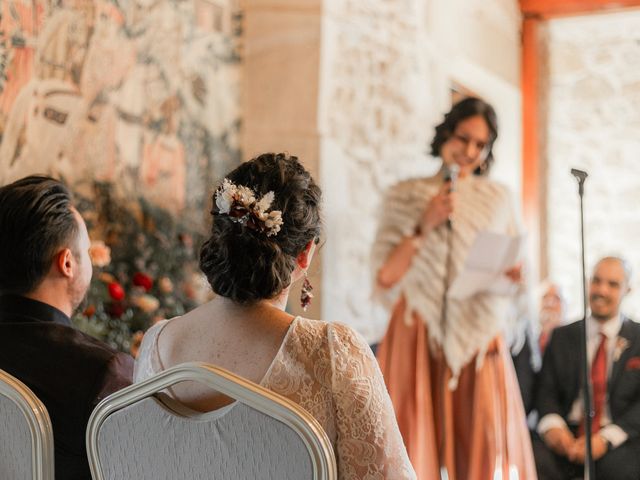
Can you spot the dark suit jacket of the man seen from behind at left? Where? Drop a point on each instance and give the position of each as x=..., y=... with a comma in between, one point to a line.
x=67, y=369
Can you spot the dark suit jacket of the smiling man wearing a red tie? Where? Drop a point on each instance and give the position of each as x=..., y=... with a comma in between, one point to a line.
x=560, y=379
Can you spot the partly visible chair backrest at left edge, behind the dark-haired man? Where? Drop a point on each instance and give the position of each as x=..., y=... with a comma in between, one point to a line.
x=26, y=436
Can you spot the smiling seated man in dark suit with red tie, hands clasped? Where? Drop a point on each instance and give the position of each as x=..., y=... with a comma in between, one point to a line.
x=614, y=355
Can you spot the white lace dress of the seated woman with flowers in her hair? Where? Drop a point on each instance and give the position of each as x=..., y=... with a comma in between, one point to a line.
x=330, y=371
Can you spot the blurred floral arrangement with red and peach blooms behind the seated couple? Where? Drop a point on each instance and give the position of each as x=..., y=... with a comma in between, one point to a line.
x=145, y=268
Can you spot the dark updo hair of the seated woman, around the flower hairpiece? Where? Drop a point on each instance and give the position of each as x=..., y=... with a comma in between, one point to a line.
x=244, y=264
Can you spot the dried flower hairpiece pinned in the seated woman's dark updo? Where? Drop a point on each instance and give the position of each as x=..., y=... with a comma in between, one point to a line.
x=240, y=203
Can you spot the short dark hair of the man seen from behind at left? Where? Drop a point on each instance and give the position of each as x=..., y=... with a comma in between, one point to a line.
x=36, y=219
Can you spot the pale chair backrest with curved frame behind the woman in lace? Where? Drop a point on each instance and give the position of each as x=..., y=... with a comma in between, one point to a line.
x=135, y=433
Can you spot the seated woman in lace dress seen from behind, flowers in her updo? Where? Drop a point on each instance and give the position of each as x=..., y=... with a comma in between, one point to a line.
x=266, y=224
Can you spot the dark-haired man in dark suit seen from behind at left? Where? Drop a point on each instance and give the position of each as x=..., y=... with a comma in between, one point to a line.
x=45, y=272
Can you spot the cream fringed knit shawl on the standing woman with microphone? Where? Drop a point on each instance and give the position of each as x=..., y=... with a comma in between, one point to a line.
x=471, y=323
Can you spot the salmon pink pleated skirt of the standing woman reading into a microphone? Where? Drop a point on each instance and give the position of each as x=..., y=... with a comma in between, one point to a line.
x=477, y=431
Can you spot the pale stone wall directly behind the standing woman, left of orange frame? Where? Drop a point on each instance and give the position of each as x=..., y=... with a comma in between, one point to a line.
x=387, y=68
